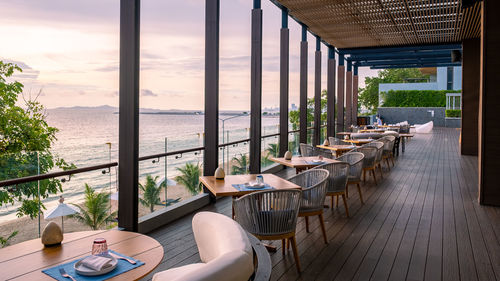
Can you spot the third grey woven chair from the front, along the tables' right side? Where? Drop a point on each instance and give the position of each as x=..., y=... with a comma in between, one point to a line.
x=337, y=182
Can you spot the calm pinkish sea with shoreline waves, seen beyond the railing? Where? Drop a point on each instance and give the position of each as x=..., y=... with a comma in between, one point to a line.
x=89, y=136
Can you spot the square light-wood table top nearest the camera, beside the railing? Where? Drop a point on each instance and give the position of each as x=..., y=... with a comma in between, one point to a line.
x=225, y=187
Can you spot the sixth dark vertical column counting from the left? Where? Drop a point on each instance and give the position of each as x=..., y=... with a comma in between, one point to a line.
x=317, y=92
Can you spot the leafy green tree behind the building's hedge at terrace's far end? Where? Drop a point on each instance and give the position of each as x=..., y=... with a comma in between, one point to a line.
x=368, y=96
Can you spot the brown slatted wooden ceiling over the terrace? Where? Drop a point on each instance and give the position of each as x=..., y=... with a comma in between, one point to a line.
x=371, y=23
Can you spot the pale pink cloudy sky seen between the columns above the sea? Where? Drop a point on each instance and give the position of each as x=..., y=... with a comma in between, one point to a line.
x=69, y=52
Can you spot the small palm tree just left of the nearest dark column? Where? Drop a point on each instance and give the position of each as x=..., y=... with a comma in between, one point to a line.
x=94, y=212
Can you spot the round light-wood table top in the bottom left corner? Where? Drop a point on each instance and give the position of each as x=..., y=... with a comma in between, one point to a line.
x=26, y=260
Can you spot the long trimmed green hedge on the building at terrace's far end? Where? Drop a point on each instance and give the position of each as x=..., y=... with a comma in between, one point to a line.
x=415, y=98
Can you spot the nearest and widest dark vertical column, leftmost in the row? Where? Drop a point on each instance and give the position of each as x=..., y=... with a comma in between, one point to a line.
x=128, y=169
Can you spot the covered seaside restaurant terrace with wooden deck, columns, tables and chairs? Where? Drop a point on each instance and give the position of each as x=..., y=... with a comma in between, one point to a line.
x=382, y=202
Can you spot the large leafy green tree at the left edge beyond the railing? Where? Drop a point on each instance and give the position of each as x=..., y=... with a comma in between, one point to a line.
x=25, y=142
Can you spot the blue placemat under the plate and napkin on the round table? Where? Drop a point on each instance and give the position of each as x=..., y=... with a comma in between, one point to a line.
x=123, y=266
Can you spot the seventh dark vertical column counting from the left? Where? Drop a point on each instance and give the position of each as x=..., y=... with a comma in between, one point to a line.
x=330, y=110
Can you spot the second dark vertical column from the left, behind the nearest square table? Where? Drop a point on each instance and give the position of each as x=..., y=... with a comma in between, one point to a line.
x=211, y=140
